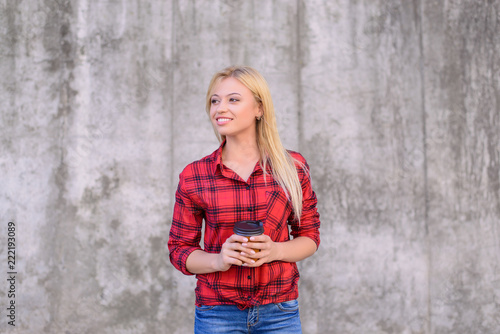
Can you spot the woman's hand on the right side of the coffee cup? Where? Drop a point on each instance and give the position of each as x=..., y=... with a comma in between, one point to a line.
x=269, y=250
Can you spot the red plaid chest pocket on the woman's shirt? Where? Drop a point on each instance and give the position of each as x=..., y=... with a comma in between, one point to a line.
x=278, y=210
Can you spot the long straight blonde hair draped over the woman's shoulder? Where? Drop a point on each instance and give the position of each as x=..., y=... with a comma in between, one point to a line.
x=268, y=141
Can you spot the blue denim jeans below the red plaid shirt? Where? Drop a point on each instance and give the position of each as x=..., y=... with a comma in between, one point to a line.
x=271, y=318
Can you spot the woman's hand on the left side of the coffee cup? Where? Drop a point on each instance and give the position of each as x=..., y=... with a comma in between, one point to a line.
x=234, y=252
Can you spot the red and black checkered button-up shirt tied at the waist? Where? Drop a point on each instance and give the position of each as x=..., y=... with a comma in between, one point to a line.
x=210, y=191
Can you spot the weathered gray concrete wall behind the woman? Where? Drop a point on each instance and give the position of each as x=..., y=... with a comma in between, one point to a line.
x=395, y=104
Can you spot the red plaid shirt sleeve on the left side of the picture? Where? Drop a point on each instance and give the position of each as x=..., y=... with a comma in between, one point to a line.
x=185, y=232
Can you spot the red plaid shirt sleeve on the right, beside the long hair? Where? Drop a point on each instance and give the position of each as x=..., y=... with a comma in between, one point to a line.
x=309, y=220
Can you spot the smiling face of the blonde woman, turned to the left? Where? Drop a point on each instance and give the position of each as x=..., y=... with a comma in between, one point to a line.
x=234, y=110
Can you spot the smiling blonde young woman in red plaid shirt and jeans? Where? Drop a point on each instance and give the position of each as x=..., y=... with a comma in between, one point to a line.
x=245, y=284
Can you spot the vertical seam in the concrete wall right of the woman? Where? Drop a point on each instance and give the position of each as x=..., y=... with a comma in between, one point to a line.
x=425, y=170
